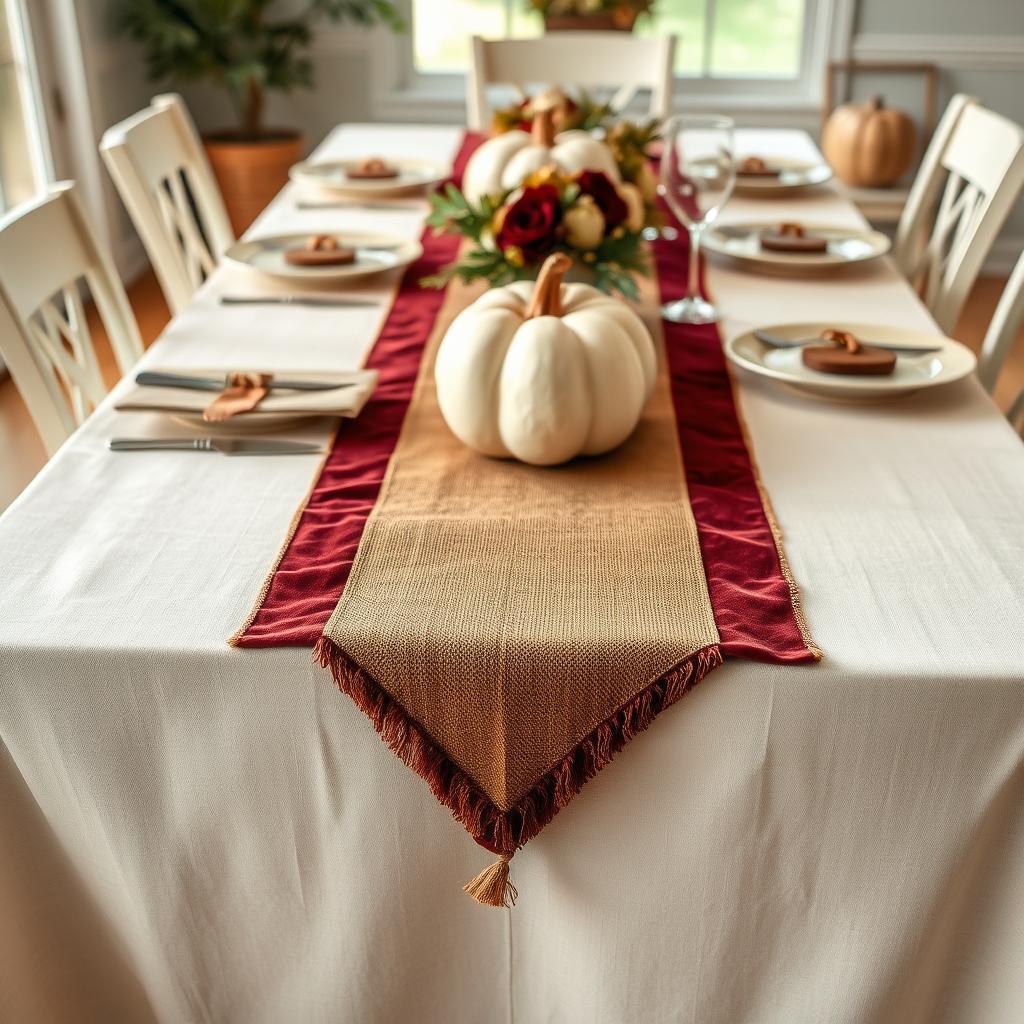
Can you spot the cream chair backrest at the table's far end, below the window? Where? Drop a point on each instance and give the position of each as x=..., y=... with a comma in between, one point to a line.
x=589, y=60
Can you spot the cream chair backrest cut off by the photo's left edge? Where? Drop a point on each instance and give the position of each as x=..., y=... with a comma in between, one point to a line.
x=48, y=250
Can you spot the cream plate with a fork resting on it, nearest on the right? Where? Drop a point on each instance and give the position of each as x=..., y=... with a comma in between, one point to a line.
x=912, y=374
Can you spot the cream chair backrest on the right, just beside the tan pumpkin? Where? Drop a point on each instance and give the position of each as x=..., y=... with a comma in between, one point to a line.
x=969, y=180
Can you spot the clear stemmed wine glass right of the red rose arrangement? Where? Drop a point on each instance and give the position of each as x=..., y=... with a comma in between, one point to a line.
x=698, y=177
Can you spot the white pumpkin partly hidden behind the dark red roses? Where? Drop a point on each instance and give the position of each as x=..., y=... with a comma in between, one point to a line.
x=503, y=162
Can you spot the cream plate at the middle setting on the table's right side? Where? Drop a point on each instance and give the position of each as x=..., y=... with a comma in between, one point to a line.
x=845, y=246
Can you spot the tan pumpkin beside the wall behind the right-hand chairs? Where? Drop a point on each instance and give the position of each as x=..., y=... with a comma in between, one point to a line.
x=869, y=145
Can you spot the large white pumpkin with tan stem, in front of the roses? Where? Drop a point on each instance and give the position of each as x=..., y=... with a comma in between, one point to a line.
x=543, y=373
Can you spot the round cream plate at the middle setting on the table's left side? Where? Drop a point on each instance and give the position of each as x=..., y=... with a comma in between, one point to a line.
x=375, y=252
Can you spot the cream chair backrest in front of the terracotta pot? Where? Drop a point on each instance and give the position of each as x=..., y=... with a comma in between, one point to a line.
x=164, y=179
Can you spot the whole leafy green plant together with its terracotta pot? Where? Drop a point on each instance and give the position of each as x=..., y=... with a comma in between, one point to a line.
x=248, y=49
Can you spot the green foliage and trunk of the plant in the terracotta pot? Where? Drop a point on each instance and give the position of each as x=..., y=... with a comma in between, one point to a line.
x=243, y=46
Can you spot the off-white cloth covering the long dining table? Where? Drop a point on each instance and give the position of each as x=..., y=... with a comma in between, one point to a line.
x=196, y=832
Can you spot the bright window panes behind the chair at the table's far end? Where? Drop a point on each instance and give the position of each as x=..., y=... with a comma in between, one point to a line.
x=715, y=38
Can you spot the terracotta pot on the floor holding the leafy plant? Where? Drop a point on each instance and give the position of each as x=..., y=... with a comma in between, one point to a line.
x=251, y=174
